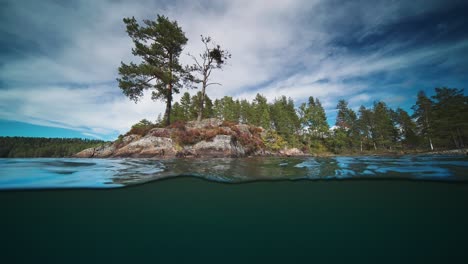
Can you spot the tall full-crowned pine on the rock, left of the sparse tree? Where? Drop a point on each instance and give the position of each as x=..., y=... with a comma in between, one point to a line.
x=159, y=44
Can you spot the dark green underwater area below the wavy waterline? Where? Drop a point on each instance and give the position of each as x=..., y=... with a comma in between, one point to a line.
x=191, y=220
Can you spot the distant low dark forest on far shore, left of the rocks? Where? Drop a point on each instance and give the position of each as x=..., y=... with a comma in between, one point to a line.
x=32, y=147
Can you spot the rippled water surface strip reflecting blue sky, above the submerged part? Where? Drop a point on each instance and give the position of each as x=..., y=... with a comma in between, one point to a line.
x=110, y=173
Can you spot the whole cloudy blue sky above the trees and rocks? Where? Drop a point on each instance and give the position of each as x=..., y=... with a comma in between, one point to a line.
x=59, y=59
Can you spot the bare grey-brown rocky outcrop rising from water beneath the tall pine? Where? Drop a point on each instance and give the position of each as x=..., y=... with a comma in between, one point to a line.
x=208, y=138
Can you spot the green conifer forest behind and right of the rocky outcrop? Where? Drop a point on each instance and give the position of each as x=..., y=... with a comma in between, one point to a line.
x=438, y=122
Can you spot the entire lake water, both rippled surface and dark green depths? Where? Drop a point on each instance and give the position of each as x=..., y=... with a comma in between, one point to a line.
x=409, y=209
